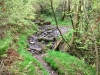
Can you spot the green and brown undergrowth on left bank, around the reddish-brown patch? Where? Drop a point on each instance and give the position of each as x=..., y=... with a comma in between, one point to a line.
x=27, y=64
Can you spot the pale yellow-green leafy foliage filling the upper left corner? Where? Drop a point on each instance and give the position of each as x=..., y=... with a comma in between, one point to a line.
x=14, y=11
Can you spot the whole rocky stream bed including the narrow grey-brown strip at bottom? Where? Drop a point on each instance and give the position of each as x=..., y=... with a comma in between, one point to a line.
x=37, y=42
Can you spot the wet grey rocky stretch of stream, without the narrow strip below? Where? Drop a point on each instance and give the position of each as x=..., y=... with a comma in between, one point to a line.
x=46, y=34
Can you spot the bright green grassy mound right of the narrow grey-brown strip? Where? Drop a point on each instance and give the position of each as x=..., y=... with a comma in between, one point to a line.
x=68, y=65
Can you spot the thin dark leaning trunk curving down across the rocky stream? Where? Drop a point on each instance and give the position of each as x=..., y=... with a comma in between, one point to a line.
x=57, y=24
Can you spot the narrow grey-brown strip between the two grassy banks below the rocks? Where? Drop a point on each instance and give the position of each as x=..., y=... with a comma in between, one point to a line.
x=44, y=64
